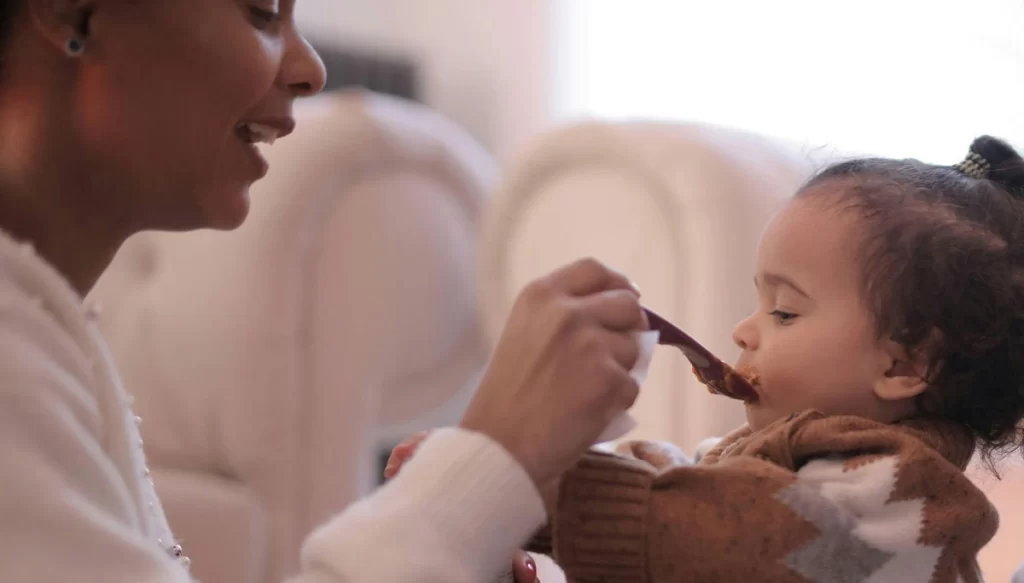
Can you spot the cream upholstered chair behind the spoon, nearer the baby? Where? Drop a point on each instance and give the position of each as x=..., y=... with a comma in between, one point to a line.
x=678, y=207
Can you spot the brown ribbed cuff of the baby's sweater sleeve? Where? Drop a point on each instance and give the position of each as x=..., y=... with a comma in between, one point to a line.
x=601, y=527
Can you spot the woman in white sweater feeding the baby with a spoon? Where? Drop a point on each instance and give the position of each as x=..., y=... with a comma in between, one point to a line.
x=122, y=116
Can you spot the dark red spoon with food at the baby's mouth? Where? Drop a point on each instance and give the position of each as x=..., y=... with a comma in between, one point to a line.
x=719, y=378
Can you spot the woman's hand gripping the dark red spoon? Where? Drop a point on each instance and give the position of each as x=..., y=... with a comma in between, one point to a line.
x=561, y=372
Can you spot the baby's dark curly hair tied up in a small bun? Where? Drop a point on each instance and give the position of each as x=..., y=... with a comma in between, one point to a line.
x=944, y=262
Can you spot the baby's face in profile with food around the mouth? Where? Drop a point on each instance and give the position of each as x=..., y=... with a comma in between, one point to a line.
x=813, y=341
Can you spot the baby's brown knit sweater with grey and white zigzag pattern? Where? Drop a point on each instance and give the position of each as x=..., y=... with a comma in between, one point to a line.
x=808, y=499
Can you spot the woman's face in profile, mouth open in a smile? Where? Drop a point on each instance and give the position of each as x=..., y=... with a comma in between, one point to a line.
x=172, y=94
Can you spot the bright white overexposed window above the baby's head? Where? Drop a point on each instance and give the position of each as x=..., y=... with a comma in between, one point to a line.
x=912, y=78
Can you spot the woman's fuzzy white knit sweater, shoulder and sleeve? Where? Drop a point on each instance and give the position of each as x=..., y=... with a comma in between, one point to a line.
x=76, y=505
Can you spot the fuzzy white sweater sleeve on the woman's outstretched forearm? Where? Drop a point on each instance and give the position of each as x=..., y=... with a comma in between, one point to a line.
x=457, y=512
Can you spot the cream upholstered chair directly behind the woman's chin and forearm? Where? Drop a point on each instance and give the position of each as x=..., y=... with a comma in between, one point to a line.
x=274, y=365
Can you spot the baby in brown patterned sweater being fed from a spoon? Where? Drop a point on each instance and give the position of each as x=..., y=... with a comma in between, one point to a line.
x=889, y=347
